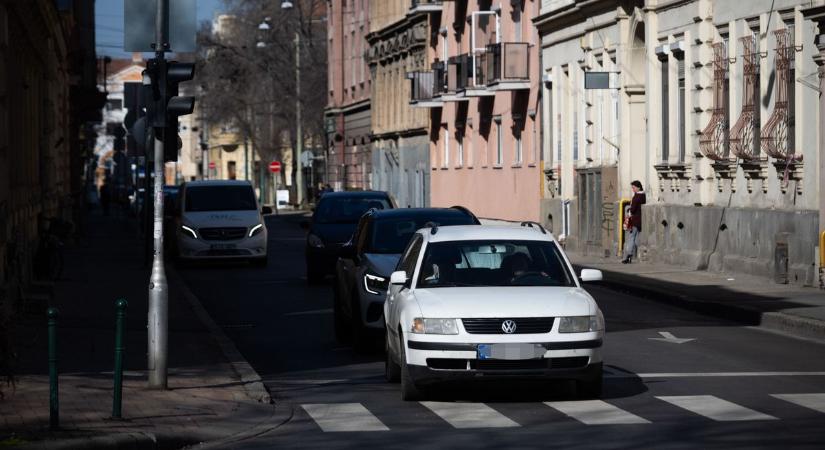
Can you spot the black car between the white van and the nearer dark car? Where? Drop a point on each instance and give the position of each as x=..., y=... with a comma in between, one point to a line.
x=333, y=224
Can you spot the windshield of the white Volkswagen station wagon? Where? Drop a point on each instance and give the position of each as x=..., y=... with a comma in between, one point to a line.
x=493, y=263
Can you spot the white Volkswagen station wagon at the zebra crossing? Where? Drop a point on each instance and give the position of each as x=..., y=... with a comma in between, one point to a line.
x=490, y=302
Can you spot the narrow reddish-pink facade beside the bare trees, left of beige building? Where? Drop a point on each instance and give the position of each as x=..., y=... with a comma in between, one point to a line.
x=347, y=115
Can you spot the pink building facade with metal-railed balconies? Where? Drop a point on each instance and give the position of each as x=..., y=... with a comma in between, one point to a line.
x=482, y=93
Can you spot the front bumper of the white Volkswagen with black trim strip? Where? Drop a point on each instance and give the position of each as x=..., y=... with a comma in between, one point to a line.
x=436, y=361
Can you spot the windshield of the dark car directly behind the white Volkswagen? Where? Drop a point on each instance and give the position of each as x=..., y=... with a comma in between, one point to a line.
x=391, y=235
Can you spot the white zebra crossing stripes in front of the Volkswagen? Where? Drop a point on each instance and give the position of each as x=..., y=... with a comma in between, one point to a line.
x=355, y=417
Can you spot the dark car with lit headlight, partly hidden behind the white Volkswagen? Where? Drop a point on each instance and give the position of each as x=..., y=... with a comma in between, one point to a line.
x=363, y=271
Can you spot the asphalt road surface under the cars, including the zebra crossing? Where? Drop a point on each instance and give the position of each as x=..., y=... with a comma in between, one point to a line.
x=729, y=387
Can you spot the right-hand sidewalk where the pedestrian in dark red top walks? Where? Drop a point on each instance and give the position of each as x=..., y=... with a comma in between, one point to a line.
x=747, y=299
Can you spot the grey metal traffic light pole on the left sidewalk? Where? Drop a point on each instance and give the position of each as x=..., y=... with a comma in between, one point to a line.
x=158, y=294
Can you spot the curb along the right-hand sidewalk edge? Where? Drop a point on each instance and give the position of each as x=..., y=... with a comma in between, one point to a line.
x=798, y=326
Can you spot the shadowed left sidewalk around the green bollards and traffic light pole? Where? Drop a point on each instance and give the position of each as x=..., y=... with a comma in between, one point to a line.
x=213, y=394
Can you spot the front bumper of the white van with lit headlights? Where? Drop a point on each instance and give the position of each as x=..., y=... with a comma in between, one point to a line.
x=200, y=249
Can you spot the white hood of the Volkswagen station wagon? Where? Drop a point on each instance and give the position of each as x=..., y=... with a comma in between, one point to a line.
x=517, y=301
